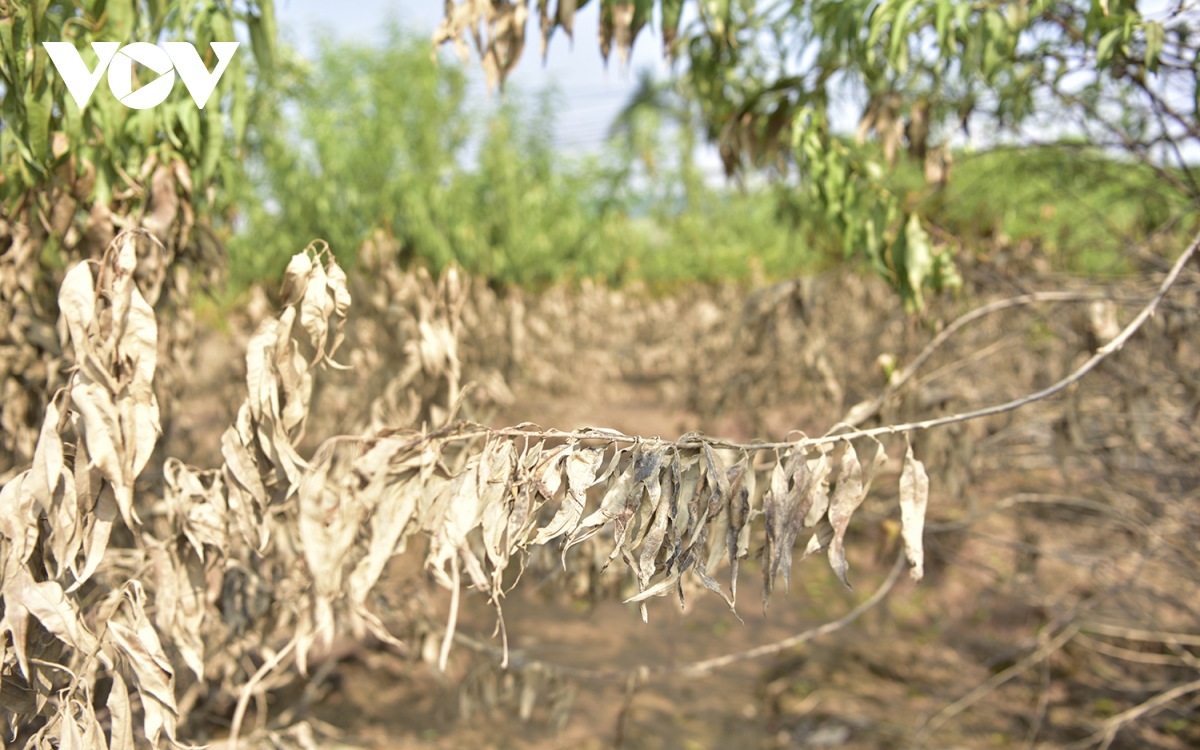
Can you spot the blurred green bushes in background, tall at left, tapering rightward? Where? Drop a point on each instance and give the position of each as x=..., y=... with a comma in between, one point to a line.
x=364, y=149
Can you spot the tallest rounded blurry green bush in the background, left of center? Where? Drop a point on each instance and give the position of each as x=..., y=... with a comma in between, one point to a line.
x=362, y=137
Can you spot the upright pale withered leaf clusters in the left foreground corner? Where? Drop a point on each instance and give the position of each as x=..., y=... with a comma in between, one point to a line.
x=165, y=621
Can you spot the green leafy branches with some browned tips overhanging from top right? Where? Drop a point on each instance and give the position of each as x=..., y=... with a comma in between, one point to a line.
x=766, y=75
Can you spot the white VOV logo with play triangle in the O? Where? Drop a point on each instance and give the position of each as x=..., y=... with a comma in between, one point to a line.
x=172, y=58
